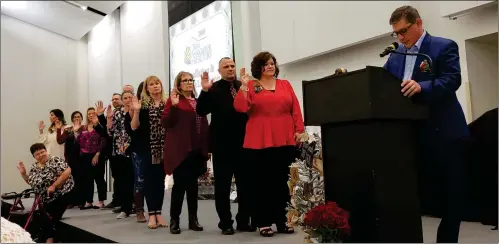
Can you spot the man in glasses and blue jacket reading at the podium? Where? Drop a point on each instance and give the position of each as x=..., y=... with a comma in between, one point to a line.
x=441, y=140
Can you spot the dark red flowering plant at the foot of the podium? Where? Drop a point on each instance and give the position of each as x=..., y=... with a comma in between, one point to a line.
x=327, y=223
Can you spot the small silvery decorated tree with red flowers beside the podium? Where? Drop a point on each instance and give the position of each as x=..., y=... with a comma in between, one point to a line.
x=320, y=221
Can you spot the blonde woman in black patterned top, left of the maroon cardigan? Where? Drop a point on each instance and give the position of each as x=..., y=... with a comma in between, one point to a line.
x=149, y=140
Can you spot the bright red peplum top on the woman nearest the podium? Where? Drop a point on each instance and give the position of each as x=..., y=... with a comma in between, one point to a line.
x=274, y=116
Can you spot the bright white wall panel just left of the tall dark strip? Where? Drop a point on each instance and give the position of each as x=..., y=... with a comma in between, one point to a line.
x=142, y=44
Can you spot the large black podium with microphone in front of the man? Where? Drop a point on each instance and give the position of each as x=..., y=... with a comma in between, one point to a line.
x=369, y=139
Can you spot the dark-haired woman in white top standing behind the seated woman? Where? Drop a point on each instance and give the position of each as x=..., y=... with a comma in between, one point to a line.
x=49, y=138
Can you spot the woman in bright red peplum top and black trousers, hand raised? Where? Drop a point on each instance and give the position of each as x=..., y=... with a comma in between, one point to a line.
x=272, y=131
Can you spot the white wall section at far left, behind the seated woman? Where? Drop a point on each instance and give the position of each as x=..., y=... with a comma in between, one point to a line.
x=39, y=70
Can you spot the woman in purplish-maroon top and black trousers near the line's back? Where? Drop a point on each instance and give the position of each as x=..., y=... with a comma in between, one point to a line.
x=91, y=145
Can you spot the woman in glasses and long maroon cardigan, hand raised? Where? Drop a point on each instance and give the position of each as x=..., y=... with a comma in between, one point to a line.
x=185, y=149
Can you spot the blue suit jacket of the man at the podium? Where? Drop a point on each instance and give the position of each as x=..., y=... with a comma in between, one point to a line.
x=447, y=121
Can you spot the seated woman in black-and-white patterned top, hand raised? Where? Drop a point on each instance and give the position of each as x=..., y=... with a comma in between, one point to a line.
x=50, y=177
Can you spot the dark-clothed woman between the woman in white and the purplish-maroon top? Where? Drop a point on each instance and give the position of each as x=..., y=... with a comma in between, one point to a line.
x=67, y=137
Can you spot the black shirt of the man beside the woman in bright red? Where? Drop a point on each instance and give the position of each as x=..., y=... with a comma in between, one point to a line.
x=227, y=126
